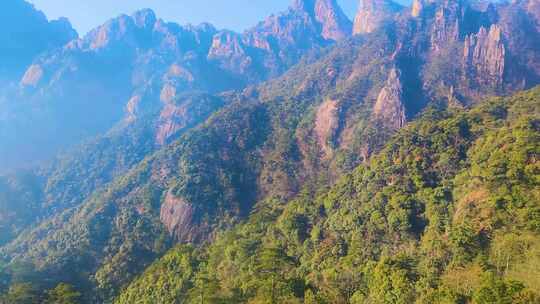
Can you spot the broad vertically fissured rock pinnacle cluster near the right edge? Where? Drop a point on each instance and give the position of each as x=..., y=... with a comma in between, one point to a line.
x=484, y=56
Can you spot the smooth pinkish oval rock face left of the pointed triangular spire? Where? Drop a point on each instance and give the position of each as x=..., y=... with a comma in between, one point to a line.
x=326, y=125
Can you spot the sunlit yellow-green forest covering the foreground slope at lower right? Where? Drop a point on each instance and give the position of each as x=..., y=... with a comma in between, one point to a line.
x=447, y=212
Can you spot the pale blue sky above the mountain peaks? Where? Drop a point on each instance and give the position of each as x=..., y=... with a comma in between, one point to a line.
x=232, y=14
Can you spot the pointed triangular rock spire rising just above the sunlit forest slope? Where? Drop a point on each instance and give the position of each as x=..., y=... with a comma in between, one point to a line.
x=389, y=108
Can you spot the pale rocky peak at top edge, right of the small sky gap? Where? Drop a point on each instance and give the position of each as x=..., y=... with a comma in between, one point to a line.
x=372, y=14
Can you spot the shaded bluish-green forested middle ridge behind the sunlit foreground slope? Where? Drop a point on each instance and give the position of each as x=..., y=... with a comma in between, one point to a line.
x=252, y=148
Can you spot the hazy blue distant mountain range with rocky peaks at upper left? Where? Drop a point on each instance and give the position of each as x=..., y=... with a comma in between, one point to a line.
x=142, y=64
